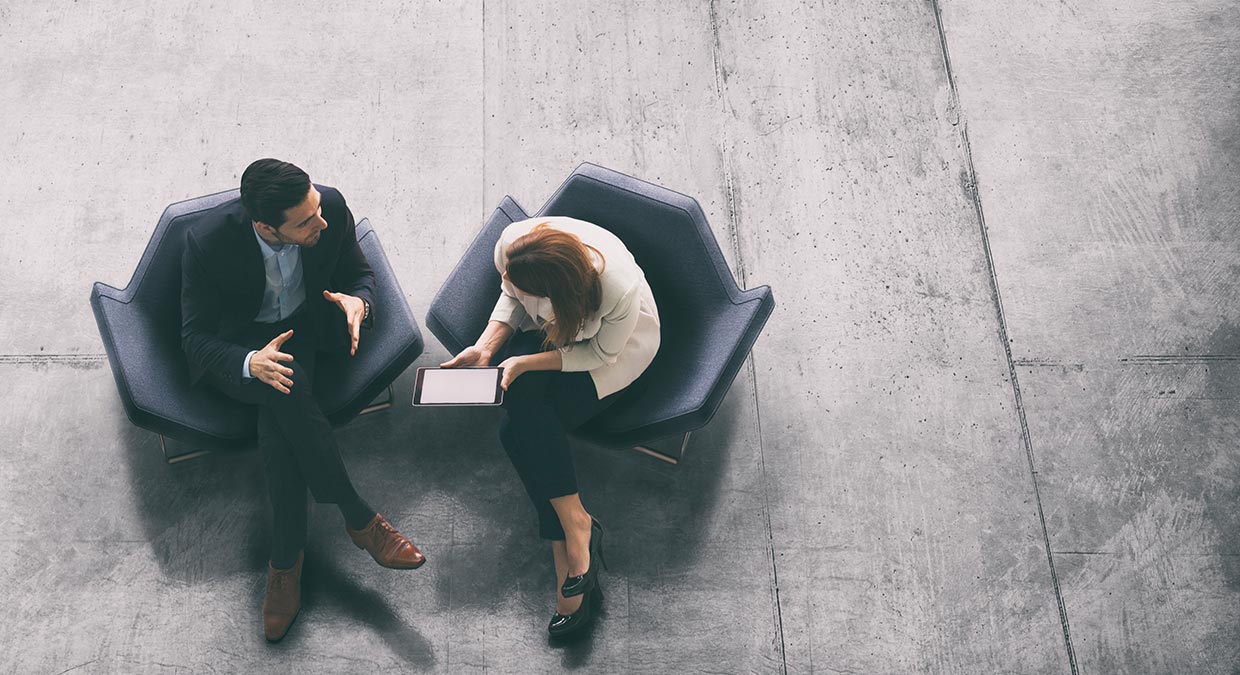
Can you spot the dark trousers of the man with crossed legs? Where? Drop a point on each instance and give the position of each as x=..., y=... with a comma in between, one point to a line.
x=298, y=446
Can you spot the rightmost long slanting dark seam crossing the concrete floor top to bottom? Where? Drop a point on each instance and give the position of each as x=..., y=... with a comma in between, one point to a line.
x=976, y=198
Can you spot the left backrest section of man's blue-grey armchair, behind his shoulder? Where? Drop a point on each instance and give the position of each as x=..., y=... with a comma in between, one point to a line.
x=157, y=281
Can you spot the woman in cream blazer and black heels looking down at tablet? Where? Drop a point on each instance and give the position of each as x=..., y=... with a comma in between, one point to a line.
x=560, y=374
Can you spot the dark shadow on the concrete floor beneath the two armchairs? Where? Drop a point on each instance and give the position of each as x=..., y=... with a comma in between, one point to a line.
x=443, y=478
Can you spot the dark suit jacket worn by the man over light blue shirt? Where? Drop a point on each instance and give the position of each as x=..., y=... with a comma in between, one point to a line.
x=224, y=279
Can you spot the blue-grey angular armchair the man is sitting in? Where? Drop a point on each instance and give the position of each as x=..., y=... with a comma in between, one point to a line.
x=141, y=329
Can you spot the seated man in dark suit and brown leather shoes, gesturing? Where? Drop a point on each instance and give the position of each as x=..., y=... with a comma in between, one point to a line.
x=268, y=282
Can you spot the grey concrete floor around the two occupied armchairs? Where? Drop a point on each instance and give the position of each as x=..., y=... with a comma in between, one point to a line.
x=990, y=429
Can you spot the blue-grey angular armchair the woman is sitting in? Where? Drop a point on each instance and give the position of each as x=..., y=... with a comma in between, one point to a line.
x=709, y=323
